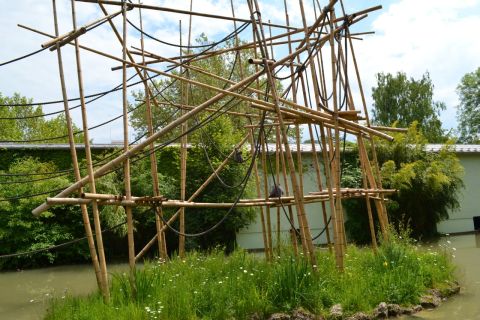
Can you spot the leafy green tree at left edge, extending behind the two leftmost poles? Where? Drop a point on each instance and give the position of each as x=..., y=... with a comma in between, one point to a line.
x=20, y=231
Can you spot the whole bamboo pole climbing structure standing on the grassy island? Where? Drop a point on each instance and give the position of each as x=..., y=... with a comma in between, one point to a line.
x=281, y=79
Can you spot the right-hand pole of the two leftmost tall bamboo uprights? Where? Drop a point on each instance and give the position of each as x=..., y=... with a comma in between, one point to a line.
x=96, y=216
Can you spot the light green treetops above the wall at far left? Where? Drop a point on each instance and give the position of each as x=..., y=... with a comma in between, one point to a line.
x=23, y=122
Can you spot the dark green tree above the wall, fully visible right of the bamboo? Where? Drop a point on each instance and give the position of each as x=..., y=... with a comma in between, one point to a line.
x=401, y=101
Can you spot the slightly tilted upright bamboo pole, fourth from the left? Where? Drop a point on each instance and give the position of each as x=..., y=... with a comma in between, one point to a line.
x=162, y=249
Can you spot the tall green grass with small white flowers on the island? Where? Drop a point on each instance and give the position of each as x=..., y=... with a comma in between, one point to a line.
x=215, y=286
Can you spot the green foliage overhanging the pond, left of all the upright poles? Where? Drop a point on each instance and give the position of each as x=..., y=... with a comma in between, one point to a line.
x=20, y=231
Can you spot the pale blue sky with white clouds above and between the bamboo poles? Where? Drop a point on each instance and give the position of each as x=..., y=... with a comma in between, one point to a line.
x=435, y=36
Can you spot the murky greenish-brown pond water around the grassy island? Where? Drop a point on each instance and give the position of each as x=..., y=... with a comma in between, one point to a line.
x=24, y=294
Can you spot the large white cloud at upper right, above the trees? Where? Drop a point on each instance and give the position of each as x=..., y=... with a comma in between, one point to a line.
x=419, y=36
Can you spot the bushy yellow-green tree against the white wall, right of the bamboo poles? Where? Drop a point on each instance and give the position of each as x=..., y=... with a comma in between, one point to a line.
x=428, y=186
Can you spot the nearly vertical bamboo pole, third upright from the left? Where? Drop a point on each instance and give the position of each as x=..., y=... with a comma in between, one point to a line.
x=126, y=164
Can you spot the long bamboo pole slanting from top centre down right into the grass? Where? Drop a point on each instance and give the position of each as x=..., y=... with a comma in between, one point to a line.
x=298, y=194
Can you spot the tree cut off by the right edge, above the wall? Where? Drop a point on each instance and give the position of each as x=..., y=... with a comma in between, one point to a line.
x=468, y=113
